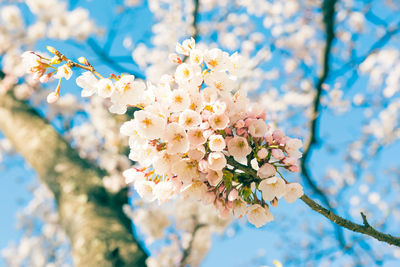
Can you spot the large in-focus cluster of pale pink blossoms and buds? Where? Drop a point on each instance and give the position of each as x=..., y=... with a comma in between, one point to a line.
x=197, y=133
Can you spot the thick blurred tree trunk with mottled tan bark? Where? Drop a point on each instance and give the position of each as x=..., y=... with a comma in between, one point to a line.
x=99, y=232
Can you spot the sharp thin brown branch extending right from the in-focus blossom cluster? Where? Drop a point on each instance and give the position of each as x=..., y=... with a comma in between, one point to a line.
x=364, y=228
